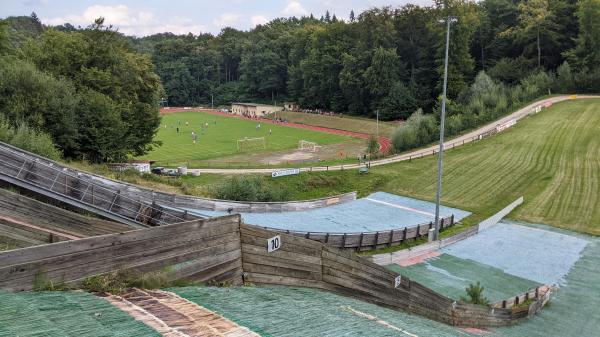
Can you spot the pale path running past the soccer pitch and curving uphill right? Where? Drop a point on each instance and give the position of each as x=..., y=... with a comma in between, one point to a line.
x=430, y=150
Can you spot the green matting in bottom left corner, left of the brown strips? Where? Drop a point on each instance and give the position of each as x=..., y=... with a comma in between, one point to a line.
x=77, y=314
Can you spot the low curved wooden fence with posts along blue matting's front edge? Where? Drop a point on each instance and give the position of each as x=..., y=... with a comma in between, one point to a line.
x=370, y=240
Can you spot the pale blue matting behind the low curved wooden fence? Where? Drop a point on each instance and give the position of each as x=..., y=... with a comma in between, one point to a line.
x=378, y=212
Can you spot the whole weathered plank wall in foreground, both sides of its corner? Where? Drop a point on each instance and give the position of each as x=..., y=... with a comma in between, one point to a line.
x=223, y=249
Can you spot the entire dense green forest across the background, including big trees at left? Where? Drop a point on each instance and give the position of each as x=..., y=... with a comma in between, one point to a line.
x=503, y=53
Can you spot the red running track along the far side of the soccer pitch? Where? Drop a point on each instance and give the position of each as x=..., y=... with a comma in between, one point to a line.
x=384, y=142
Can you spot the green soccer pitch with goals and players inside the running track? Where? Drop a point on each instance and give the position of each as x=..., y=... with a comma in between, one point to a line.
x=217, y=136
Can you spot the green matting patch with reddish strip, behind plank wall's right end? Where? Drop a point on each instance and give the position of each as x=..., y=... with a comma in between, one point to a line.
x=450, y=275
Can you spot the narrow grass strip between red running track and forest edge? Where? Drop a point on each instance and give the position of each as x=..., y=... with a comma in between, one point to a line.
x=348, y=123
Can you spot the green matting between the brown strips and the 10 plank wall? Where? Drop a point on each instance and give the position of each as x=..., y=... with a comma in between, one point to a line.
x=281, y=311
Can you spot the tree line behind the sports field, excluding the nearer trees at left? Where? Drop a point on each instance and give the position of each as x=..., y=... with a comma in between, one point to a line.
x=386, y=60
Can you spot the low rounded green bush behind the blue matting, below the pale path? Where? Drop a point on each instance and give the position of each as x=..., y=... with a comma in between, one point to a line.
x=249, y=189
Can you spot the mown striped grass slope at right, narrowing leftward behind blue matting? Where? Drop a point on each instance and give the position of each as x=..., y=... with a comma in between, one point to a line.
x=552, y=159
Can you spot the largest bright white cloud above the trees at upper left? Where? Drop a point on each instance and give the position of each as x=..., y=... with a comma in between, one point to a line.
x=129, y=22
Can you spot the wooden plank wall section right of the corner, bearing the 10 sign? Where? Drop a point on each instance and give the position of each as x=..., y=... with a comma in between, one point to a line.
x=306, y=263
